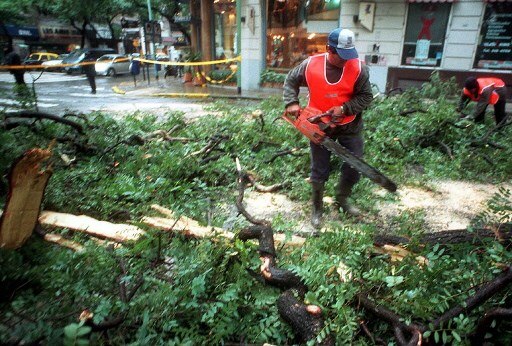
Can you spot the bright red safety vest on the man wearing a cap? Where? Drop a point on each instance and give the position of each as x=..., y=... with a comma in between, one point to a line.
x=324, y=95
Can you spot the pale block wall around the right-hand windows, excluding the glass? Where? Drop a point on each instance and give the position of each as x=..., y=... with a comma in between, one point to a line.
x=386, y=41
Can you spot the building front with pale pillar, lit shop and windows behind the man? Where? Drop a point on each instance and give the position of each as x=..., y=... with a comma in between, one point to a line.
x=402, y=41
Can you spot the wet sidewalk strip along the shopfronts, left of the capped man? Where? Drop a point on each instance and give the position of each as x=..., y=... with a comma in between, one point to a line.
x=174, y=87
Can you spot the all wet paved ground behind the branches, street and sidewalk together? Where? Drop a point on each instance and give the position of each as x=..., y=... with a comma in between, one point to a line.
x=59, y=93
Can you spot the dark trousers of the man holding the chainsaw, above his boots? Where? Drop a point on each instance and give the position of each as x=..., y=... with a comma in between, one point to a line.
x=321, y=157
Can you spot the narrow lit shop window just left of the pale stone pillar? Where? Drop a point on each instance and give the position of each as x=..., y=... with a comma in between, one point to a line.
x=225, y=28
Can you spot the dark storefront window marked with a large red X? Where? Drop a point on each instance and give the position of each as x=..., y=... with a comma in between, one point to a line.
x=425, y=33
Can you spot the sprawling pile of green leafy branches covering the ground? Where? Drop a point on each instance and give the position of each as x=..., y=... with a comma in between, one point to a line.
x=166, y=289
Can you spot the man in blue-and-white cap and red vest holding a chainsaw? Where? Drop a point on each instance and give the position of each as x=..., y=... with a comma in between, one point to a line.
x=338, y=83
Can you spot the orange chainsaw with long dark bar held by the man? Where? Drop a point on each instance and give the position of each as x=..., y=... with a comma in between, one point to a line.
x=314, y=126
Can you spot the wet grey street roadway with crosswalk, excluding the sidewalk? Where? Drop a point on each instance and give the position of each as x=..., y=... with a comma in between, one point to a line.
x=59, y=93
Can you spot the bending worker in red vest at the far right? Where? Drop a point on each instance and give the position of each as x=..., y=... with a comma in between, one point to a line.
x=486, y=91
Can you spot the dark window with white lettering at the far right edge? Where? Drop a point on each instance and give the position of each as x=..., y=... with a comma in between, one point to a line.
x=494, y=49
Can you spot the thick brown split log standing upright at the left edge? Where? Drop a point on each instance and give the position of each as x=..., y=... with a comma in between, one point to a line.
x=27, y=182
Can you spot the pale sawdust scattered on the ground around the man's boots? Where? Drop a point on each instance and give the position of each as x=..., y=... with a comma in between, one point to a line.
x=447, y=205
